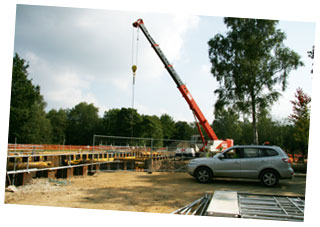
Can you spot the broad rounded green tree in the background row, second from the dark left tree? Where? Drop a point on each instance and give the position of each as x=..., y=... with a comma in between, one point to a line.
x=82, y=123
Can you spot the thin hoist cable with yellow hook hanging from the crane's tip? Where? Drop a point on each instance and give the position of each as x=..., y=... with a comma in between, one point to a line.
x=134, y=69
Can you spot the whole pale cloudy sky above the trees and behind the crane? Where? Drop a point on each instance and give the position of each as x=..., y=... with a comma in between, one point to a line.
x=85, y=55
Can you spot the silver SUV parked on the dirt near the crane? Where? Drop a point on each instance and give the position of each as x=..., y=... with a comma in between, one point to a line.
x=267, y=163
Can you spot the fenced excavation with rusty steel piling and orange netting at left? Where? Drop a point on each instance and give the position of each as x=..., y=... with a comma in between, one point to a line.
x=25, y=162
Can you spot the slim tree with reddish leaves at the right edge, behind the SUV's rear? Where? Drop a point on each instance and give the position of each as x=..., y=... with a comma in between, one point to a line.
x=301, y=120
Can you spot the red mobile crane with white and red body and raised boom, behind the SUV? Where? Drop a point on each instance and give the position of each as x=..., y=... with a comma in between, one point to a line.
x=218, y=144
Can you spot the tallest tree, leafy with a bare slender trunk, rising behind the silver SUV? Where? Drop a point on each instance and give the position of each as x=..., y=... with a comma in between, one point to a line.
x=248, y=62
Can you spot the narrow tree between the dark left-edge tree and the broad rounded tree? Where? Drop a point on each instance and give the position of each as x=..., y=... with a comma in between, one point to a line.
x=58, y=121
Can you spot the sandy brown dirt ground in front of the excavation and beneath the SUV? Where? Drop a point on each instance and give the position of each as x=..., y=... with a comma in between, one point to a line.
x=137, y=191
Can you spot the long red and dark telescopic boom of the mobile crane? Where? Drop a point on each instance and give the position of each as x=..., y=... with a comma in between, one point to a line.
x=181, y=86
